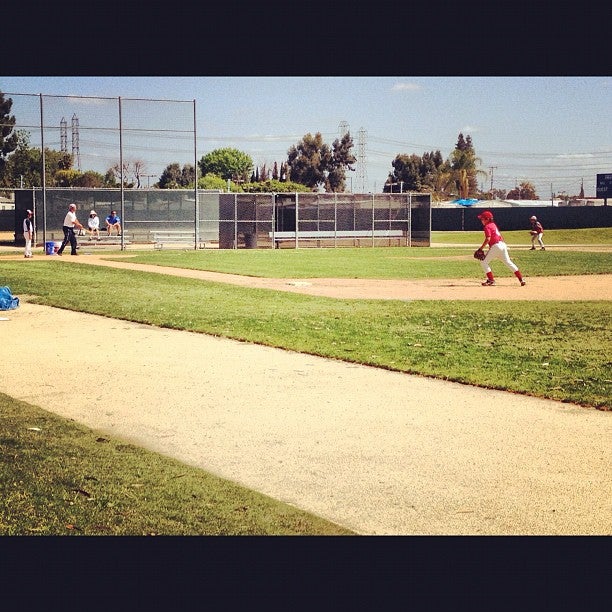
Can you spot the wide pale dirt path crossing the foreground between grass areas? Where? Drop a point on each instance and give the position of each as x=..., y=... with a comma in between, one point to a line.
x=377, y=451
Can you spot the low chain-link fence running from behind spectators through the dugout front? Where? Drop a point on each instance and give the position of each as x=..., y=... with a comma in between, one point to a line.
x=170, y=218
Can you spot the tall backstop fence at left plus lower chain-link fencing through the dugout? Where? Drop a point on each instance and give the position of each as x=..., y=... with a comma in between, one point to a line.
x=136, y=139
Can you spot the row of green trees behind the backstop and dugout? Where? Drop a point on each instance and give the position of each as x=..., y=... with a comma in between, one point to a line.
x=311, y=165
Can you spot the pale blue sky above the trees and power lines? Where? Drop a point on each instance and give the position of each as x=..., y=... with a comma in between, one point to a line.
x=552, y=131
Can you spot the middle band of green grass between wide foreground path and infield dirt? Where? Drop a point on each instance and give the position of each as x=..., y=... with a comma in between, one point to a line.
x=559, y=350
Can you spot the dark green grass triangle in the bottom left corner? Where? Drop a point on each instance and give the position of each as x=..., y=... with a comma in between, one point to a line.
x=60, y=478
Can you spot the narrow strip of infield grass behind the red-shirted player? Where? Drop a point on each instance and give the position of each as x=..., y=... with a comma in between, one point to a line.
x=382, y=263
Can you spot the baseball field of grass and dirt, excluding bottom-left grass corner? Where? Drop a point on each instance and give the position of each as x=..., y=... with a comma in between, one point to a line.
x=284, y=348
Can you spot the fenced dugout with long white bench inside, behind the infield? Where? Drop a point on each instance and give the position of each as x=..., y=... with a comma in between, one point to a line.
x=291, y=220
